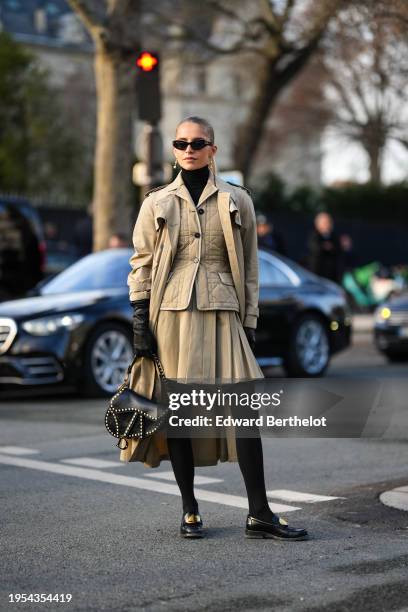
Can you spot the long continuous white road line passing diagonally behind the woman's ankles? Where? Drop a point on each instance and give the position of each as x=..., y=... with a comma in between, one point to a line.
x=148, y=484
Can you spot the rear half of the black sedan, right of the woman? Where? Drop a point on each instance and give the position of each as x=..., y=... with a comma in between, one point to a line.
x=304, y=319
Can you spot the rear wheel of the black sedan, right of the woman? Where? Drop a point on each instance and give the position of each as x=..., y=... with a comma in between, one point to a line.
x=309, y=350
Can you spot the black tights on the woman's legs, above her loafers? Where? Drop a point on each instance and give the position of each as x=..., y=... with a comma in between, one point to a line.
x=250, y=459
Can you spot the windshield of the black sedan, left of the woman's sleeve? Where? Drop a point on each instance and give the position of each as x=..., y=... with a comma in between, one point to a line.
x=104, y=270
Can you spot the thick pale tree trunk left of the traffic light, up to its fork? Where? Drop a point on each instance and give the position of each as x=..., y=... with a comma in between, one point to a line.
x=115, y=29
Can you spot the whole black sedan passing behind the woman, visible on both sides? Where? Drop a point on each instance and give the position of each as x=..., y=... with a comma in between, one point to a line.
x=78, y=329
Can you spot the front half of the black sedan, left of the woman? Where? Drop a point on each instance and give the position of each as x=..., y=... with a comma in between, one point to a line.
x=76, y=331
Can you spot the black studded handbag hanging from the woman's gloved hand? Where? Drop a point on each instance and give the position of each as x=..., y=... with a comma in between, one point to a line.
x=131, y=415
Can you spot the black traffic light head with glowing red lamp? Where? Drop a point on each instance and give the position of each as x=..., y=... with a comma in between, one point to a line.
x=148, y=87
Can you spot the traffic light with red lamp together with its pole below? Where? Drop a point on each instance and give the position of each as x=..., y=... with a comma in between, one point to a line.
x=149, y=111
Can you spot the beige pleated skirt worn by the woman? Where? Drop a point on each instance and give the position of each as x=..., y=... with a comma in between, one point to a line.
x=198, y=345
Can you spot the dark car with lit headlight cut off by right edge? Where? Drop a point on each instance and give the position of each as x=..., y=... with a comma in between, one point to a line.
x=391, y=328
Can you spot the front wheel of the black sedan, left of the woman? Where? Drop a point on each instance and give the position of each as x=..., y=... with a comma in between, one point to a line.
x=108, y=354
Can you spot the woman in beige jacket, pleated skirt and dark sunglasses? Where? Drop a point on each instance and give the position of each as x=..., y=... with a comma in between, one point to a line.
x=194, y=290
